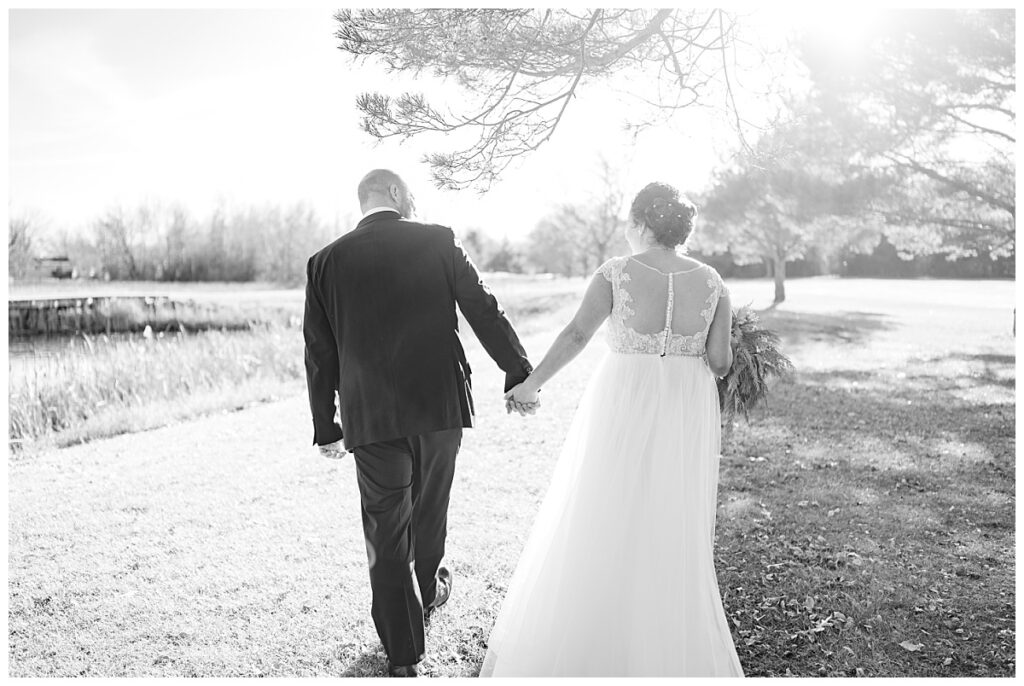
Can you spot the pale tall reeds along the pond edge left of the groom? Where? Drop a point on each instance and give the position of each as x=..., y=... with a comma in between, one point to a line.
x=101, y=375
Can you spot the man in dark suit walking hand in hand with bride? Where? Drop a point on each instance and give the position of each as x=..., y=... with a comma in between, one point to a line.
x=381, y=330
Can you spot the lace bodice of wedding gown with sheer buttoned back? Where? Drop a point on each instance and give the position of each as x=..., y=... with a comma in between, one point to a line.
x=623, y=338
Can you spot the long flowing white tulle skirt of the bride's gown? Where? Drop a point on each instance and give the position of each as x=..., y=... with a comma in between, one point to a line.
x=618, y=578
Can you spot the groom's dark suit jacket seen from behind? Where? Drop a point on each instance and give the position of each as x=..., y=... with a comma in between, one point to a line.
x=381, y=329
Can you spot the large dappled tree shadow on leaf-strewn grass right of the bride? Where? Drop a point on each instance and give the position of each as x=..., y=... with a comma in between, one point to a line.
x=868, y=525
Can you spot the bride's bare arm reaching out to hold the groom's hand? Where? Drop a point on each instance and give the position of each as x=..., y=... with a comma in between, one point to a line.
x=593, y=312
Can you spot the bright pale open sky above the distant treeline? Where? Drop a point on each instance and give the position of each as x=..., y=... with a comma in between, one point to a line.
x=253, y=107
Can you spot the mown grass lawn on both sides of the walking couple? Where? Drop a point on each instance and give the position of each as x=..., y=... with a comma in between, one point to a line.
x=866, y=523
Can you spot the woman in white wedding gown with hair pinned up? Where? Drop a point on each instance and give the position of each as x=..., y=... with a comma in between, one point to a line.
x=618, y=578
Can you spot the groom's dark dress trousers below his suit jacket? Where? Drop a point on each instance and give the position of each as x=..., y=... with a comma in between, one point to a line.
x=404, y=488
